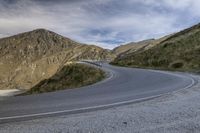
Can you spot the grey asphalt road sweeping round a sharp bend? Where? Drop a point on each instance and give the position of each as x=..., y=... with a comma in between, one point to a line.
x=125, y=85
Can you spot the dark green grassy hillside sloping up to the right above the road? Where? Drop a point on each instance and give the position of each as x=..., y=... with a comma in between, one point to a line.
x=180, y=51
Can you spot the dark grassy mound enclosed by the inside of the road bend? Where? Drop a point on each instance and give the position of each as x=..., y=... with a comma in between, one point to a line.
x=69, y=77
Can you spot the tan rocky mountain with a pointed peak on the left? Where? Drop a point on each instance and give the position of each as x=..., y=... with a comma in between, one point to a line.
x=28, y=58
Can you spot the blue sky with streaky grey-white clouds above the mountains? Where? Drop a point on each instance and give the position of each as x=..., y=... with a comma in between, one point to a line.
x=106, y=23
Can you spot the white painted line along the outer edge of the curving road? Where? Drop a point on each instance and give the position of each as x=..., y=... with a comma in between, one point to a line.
x=100, y=106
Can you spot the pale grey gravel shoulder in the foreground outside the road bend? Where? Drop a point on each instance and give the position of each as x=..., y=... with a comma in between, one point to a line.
x=178, y=112
